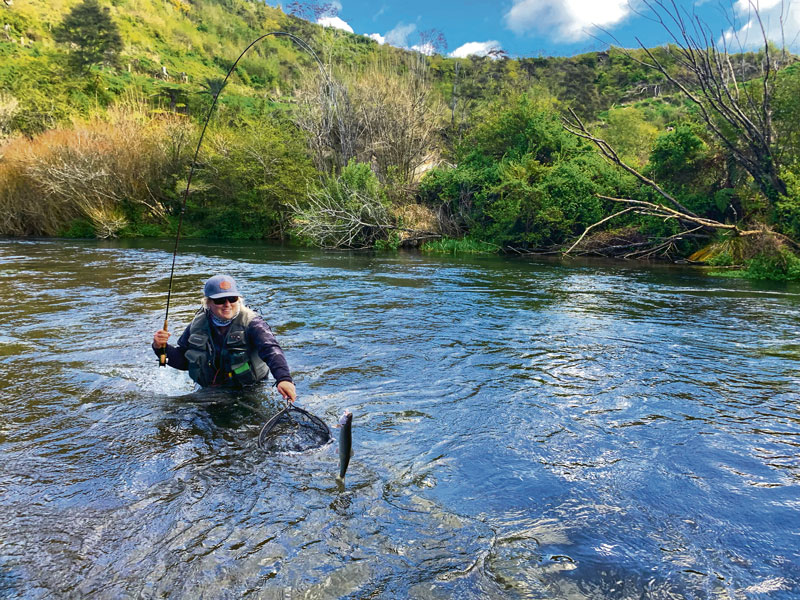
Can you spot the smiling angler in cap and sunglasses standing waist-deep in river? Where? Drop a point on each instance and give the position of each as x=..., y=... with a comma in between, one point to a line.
x=227, y=344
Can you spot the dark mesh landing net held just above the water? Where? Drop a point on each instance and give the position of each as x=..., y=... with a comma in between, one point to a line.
x=293, y=430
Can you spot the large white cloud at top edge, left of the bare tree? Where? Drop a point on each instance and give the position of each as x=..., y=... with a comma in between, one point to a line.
x=567, y=20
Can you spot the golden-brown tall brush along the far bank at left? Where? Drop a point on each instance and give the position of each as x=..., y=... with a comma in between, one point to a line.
x=107, y=171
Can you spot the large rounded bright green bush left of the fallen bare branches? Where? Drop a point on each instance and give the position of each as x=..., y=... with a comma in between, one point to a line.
x=522, y=179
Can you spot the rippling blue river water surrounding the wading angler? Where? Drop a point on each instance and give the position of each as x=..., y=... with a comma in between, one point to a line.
x=522, y=429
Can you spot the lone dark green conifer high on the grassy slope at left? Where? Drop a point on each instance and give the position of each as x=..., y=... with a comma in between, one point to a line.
x=96, y=38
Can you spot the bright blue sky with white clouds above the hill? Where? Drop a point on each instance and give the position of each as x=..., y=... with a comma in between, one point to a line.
x=524, y=28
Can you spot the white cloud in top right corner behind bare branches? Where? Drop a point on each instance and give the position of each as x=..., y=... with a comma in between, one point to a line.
x=781, y=21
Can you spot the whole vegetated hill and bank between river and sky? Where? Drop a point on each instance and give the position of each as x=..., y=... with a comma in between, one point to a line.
x=393, y=148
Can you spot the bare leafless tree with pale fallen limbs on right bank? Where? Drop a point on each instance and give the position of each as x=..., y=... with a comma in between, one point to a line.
x=733, y=100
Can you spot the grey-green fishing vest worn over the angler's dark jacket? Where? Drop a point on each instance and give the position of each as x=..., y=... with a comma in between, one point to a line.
x=239, y=363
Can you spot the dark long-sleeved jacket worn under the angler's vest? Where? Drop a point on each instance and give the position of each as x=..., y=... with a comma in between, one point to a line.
x=258, y=338
